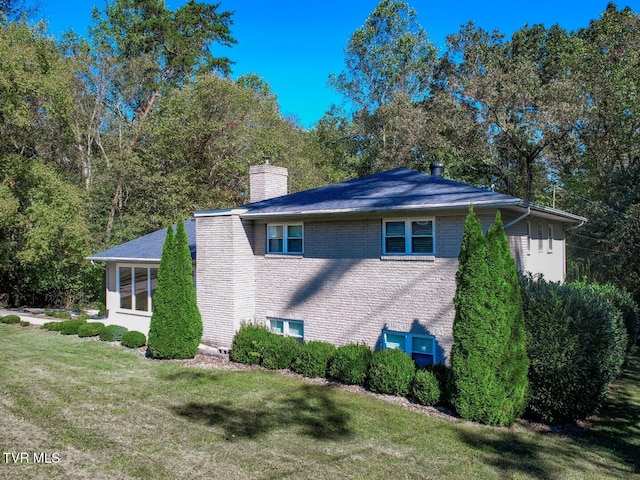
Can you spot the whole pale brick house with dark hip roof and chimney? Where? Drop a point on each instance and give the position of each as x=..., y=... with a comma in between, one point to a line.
x=369, y=260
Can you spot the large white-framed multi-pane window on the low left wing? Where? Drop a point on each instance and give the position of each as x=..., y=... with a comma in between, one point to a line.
x=136, y=286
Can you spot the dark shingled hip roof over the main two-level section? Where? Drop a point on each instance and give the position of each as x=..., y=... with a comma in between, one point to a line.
x=396, y=189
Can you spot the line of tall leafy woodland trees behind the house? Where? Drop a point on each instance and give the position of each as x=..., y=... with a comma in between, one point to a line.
x=112, y=136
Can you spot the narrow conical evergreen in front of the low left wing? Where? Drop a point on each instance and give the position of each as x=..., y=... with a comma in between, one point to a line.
x=176, y=324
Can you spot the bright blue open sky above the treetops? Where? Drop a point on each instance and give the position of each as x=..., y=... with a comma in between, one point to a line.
x=295, y=44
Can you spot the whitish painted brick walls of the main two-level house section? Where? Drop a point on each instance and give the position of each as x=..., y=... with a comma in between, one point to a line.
x=341, y=287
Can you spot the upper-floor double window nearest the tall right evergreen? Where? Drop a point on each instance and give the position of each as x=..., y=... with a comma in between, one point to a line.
x=409, y=236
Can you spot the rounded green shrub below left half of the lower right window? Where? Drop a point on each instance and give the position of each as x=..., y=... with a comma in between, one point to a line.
x=391, y=372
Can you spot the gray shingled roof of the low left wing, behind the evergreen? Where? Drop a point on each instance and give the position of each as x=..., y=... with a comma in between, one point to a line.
x=147, y=248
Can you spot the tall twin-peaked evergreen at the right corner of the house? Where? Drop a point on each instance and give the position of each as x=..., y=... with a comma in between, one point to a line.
x=488, y=358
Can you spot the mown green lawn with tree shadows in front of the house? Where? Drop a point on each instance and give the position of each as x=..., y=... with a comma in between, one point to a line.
x=104, y=412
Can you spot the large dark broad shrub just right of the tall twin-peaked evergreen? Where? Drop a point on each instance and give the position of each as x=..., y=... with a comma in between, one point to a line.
x=577, y=342
